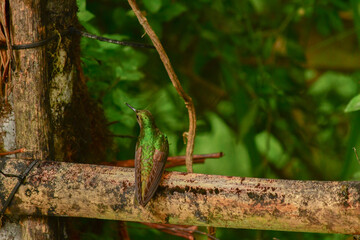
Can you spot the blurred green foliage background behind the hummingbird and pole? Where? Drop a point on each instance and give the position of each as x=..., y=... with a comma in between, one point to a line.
x=270, y=81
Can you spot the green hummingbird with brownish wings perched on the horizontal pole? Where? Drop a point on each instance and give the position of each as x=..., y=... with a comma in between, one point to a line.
x=151, y=152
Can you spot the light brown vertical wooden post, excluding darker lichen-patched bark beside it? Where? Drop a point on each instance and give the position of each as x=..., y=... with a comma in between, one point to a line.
x=31, y=100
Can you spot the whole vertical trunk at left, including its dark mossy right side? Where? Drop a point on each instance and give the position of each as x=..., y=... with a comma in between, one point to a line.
x=54, y=116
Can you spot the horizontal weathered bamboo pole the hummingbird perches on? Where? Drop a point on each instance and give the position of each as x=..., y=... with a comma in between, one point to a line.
x=106, y=192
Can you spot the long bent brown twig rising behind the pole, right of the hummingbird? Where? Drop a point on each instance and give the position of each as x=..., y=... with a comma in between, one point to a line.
x=175, y=81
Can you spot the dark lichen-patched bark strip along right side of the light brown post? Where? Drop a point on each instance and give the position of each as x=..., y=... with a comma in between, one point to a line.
x=62, y=54
